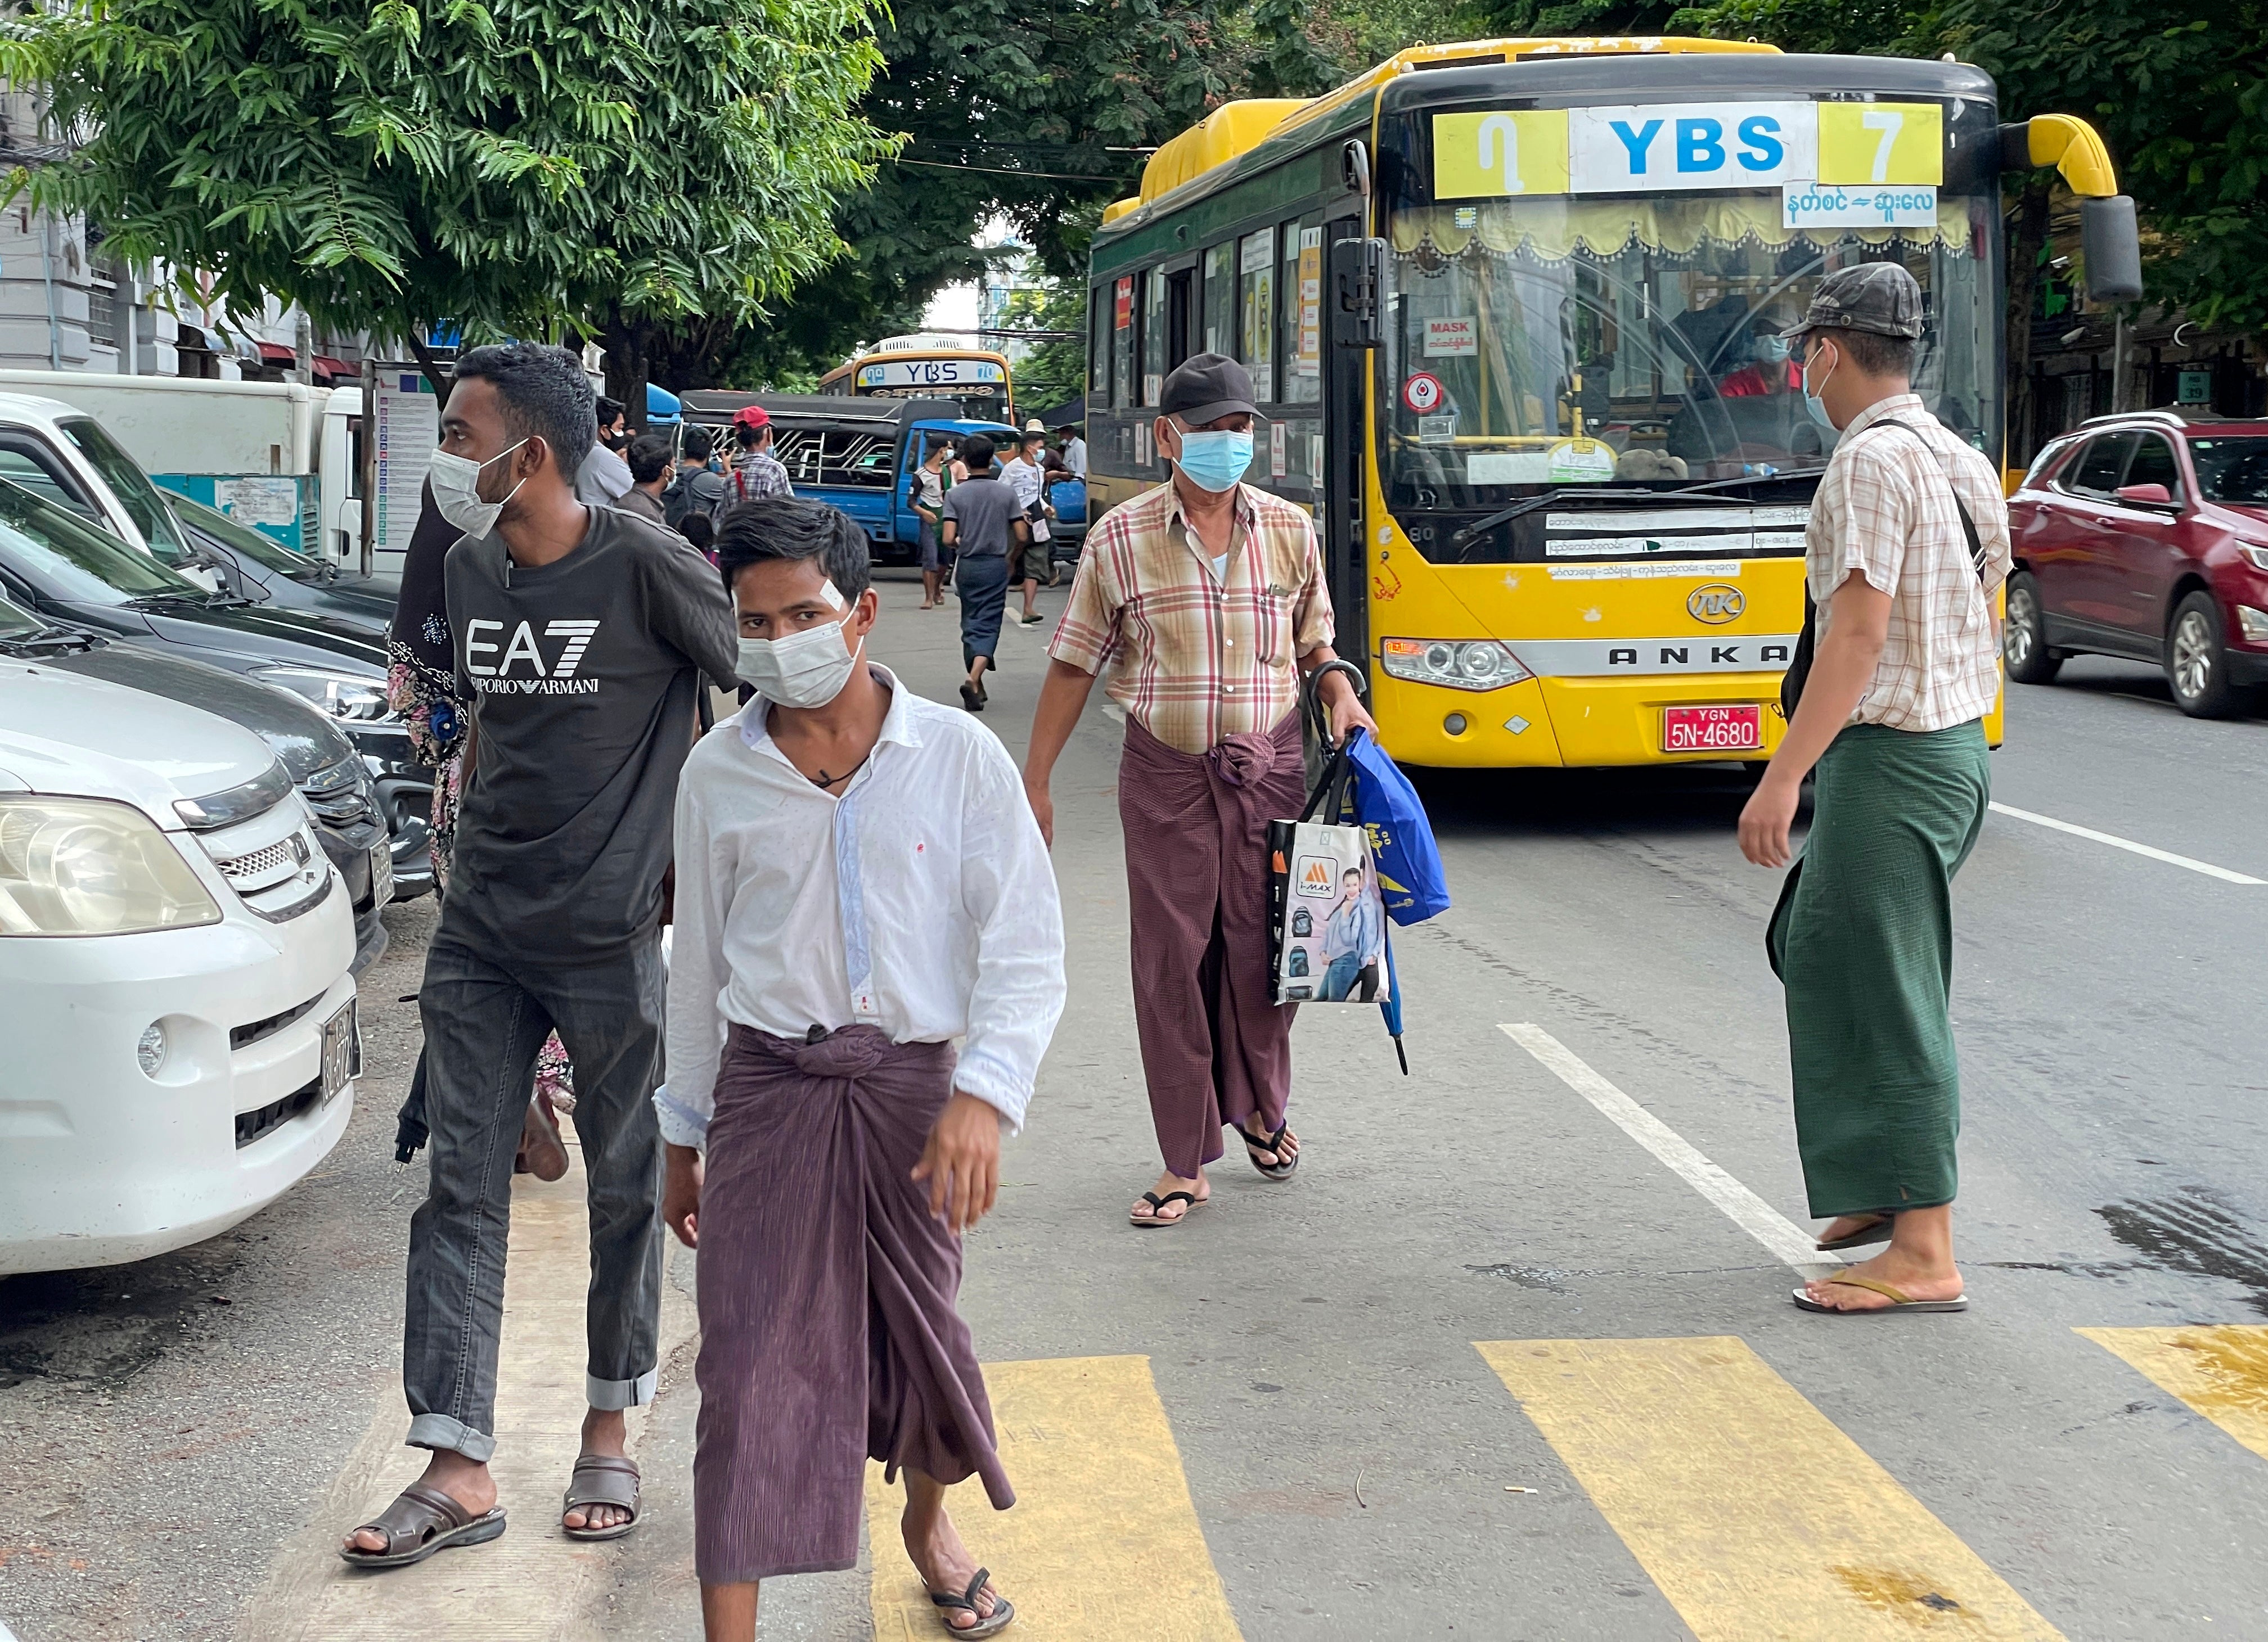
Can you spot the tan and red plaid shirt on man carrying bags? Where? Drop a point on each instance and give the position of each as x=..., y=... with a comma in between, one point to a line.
x=1194, y=657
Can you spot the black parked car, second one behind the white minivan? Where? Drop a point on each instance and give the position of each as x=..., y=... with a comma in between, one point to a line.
x=69, y=573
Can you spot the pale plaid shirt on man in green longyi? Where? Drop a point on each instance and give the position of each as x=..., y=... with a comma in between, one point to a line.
x=1886, y=509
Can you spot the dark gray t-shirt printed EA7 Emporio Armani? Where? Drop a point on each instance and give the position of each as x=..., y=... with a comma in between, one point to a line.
x=582, y=679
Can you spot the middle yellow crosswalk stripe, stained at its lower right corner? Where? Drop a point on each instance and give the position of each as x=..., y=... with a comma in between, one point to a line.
x=1747, y=1507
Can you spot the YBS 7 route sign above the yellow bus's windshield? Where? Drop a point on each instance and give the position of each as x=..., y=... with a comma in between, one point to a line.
x=1666, y=146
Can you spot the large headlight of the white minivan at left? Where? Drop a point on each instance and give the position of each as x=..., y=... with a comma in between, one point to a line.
x=92, y=867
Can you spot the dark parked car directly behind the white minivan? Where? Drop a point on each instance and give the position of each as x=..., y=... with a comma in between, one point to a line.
x=328, y=772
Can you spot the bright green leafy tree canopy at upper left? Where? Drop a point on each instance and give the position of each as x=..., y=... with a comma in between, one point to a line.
x=511, y=167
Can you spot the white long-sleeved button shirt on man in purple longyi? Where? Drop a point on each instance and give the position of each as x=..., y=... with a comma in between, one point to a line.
x=922, y=902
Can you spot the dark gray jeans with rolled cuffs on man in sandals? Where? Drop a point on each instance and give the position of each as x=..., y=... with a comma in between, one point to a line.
x=484, y=1024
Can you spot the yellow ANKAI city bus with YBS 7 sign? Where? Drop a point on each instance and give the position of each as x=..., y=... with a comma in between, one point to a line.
x=1514, y=310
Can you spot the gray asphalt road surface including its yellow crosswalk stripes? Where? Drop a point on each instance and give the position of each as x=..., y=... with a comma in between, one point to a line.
x=1487, y=1366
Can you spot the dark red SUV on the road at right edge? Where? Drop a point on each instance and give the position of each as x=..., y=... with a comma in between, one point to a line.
x=2147, y=536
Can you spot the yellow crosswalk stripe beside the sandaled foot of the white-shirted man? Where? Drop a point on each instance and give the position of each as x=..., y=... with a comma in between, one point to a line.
x=1103, y=1541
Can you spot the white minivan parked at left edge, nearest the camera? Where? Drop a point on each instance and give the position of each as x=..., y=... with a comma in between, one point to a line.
x=176, y=994
